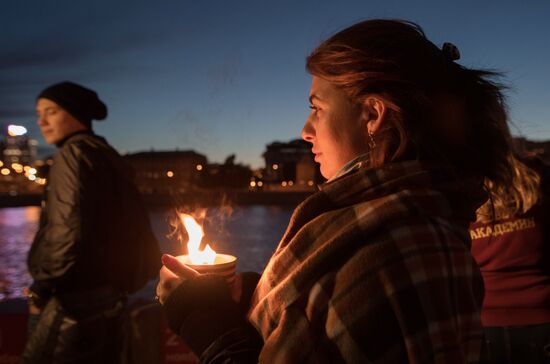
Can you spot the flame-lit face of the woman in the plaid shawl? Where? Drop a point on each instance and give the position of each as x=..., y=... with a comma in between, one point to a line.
x=335, y=127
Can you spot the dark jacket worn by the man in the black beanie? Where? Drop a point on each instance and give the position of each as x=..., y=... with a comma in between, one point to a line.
x=93, y=230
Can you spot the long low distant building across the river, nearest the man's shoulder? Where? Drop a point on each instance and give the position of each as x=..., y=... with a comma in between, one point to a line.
x=167, y=171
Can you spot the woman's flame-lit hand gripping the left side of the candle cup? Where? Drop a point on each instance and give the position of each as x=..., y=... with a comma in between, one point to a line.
x=172, y=274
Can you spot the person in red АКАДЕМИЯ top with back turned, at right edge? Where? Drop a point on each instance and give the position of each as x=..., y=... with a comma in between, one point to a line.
x=510, y=242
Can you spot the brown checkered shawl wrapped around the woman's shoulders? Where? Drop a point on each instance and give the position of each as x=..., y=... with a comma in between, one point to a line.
x=375, y=267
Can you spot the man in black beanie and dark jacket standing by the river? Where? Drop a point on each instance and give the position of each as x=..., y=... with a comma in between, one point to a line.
x=91, y=216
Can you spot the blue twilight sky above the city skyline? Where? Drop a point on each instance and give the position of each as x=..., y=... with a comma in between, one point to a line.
x=228, y=76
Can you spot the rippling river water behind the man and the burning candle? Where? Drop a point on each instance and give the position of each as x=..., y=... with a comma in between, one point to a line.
x=251, y=233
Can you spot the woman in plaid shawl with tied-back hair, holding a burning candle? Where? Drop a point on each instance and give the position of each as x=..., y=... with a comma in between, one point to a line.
x=375, y=267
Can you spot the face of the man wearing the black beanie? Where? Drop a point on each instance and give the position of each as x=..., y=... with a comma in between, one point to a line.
x=55, y=123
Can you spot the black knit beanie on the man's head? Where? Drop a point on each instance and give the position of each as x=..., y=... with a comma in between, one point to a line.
x=79, y=101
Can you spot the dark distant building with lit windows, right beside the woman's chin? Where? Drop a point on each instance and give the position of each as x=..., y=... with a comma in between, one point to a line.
x=289, y=166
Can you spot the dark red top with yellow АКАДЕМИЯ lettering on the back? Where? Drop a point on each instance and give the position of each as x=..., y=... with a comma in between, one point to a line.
x=513, y=255
